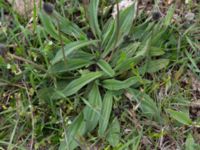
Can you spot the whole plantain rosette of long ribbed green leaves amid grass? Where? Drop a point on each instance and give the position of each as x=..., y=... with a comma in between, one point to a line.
x=102, y=69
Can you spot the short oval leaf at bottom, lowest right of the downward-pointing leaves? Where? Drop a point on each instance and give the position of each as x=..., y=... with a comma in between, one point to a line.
x=114, y=133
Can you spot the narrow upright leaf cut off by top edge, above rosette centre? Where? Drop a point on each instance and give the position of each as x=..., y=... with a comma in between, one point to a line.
x=93, y=17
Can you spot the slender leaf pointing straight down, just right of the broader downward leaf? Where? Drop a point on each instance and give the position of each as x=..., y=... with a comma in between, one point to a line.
x=105, y=113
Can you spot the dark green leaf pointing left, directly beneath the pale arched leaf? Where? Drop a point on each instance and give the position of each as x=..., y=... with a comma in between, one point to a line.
x=70, y=65
